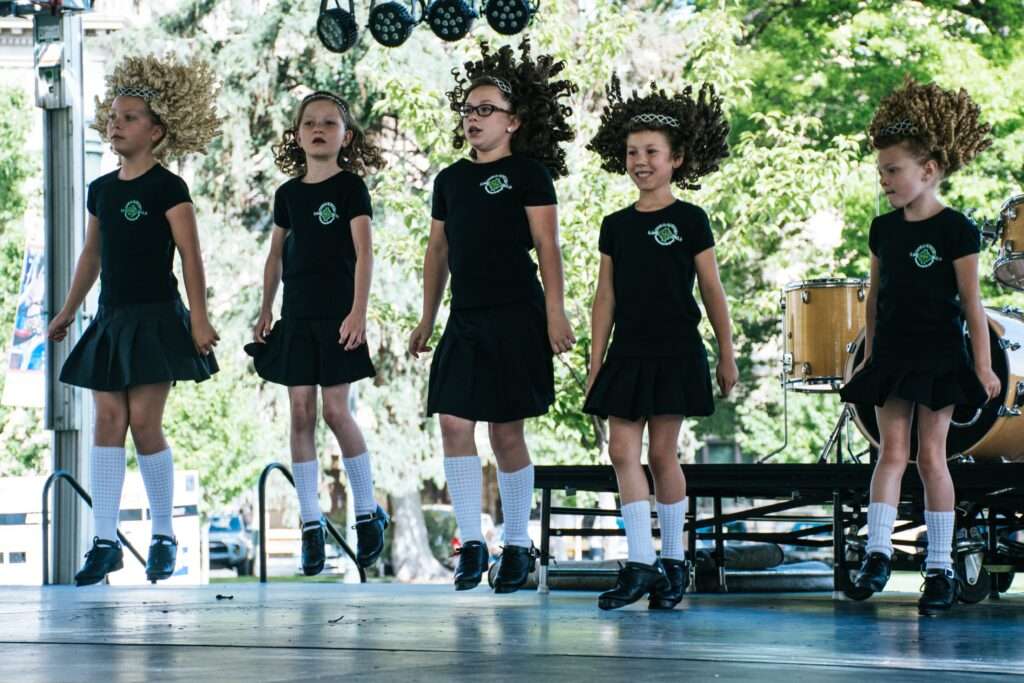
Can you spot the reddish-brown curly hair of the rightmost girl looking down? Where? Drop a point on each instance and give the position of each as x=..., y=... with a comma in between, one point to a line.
x=934, y=123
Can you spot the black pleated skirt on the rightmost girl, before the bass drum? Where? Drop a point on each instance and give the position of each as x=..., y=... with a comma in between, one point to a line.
x=932, y=380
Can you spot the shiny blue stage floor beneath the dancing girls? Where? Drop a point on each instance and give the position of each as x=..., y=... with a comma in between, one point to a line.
x=322, y=632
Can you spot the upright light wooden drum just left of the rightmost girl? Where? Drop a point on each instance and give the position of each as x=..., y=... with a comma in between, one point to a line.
x=821, y=319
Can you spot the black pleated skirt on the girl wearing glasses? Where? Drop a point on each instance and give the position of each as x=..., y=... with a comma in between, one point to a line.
x=494, y=365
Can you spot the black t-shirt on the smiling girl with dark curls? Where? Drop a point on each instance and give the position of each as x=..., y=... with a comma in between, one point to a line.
x=653, y=275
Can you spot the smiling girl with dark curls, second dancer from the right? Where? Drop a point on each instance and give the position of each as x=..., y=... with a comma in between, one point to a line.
x=656, y=371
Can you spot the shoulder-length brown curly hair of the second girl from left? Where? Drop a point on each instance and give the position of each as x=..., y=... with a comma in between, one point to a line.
x=360, y=156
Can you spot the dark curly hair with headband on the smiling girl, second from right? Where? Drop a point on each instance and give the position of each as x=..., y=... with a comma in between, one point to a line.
x=697, y=130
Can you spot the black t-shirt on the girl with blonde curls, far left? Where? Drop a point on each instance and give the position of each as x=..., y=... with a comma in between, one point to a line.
x=137, y=254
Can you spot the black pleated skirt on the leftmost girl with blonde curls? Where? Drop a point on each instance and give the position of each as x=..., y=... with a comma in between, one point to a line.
x=135, y=345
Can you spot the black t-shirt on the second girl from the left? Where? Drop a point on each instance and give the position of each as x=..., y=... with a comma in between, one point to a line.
x=320, y=255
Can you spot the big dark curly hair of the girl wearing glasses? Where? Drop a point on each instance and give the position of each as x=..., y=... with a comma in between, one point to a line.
x=535, y=98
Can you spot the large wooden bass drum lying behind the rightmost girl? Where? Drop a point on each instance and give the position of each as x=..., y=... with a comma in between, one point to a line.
x=998, y=430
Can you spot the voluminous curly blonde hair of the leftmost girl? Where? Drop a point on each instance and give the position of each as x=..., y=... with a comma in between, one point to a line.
x=181, y=97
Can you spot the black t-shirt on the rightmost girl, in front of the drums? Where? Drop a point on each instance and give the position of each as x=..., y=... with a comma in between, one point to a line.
x=919, y=307
